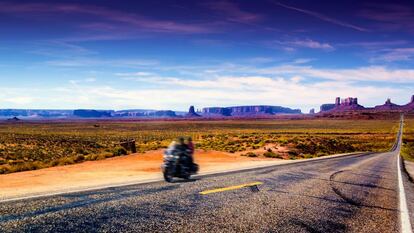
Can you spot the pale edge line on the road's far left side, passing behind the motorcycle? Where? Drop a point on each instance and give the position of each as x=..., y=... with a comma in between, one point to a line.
x=158, y=180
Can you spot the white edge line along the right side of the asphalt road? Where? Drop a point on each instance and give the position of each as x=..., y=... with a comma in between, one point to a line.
x=404, y=213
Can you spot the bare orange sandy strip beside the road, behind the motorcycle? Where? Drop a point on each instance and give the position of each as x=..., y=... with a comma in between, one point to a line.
x=125, y=169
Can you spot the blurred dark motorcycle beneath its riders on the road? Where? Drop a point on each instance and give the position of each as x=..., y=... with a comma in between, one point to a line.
x=176, y=165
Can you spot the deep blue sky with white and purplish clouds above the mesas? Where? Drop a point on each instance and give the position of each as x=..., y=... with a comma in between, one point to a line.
x=172, y=54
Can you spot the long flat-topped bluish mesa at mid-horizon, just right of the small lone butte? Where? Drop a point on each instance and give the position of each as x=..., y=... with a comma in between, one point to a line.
x=249, y=110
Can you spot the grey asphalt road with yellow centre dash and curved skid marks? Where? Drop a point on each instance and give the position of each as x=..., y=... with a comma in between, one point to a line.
x=357, y=193
